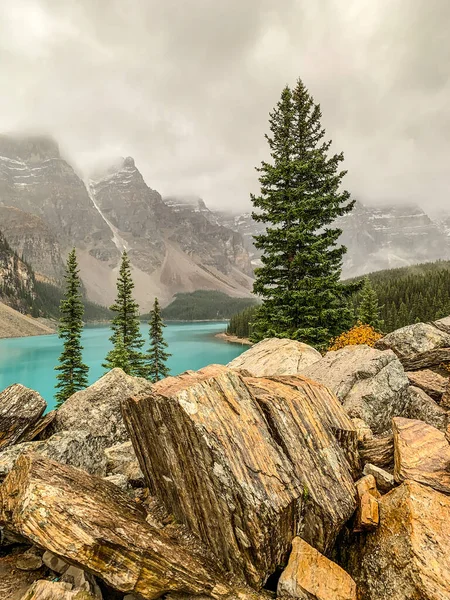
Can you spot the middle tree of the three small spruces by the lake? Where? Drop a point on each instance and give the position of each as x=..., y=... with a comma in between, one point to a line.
x=126, y=335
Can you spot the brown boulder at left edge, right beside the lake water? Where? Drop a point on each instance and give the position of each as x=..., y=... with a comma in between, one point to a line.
x=20, y=409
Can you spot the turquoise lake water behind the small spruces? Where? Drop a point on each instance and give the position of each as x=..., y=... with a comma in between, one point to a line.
x=31, y=360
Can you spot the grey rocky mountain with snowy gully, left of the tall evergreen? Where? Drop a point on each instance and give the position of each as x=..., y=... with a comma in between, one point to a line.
x=113, y=212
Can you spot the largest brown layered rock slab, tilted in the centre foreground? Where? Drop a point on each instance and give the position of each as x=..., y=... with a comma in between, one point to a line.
x=255, y=457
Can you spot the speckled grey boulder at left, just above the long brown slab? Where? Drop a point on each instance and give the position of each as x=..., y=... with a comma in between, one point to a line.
x=79, y=449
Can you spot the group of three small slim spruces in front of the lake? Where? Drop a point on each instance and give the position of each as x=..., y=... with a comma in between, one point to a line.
x=127, y=352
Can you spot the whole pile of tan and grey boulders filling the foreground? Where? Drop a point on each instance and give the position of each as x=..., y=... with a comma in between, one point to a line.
x=285, y=474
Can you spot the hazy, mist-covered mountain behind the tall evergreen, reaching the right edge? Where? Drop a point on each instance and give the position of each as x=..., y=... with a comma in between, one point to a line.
x=376, y=237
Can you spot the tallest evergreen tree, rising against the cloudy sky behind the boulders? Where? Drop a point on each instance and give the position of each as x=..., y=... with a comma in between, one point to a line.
x=300, y=199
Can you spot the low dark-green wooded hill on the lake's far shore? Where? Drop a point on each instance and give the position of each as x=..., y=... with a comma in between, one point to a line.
x=203, y=305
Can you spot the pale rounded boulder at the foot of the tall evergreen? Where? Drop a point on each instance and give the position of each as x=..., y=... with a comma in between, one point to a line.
x=275, y=356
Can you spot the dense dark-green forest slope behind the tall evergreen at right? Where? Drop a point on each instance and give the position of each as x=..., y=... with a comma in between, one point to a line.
x=407, y=295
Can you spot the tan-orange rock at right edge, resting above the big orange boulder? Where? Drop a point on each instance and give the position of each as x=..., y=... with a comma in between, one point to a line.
x=422, y=453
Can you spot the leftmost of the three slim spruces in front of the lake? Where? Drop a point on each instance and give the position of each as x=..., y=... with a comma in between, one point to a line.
x=73, y=373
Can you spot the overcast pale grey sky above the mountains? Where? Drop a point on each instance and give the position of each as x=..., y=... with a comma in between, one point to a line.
x=185, y=87
